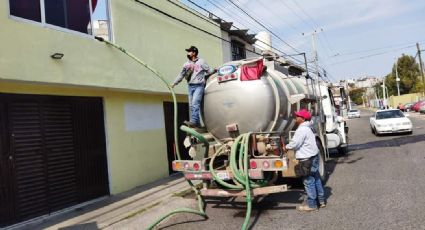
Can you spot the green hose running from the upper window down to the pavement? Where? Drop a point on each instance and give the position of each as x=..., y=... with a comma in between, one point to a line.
x=201, y=211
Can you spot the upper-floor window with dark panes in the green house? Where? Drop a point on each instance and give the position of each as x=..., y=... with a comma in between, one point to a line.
x=84, y=16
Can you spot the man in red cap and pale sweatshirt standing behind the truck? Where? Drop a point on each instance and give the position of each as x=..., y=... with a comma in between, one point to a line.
x=307, y=153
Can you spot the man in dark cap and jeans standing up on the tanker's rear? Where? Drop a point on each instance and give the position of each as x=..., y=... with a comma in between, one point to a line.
x=195, y=71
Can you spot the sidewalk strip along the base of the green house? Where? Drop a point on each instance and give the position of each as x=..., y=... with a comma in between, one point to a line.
x=110, y=211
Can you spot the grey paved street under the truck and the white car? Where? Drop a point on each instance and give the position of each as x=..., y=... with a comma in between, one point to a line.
x=380, y=184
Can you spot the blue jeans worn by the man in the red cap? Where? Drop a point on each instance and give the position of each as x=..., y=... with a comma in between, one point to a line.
x=313, y=185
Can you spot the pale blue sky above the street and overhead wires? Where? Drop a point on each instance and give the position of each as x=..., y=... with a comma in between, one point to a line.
x=356, y=38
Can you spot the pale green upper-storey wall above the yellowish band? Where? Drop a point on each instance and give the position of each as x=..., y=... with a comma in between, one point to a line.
x=154, y=38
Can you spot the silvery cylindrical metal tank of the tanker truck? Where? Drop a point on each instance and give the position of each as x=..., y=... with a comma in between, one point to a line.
x=261, y=105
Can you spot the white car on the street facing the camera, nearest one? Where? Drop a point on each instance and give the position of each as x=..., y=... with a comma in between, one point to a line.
x=390, y=121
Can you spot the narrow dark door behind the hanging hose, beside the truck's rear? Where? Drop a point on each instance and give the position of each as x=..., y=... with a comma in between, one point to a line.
x=183, y=114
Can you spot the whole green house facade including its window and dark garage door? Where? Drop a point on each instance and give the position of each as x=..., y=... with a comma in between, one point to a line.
x=79, y=119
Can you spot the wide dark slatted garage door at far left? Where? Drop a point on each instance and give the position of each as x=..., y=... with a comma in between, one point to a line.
x=53, y=152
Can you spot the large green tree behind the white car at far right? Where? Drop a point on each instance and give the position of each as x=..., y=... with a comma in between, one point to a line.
x=408, y=72
